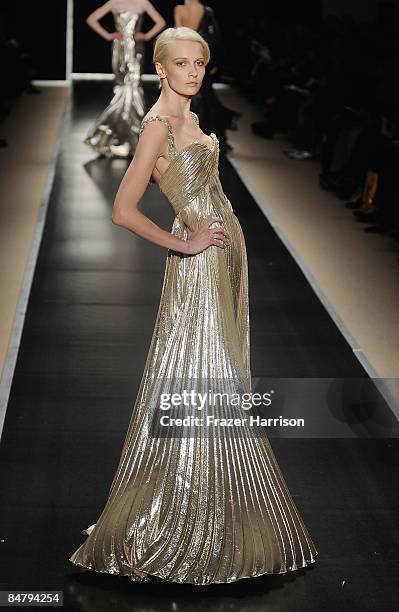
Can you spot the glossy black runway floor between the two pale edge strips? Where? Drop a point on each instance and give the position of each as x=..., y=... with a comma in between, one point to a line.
x=87, y=331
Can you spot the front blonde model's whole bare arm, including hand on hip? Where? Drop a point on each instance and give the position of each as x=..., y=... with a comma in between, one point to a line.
x=134, y=183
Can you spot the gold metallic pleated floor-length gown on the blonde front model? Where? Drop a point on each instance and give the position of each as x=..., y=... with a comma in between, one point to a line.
x=198, y=508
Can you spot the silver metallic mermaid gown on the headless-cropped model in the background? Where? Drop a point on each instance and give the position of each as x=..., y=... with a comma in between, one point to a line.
x=115, y=132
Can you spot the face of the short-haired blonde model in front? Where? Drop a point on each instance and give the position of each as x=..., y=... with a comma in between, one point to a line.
x=184, y=67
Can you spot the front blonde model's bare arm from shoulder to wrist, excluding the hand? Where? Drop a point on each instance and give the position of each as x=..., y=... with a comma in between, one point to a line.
x=134, y=183
